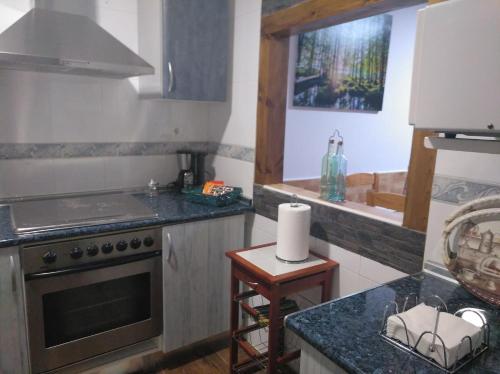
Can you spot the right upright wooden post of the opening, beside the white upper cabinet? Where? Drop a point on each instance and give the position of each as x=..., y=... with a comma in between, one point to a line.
x=419, y=183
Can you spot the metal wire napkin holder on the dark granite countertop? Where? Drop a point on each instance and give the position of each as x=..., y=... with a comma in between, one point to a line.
x=392, y=308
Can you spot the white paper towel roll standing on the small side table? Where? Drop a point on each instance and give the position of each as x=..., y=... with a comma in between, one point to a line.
x=294, y=221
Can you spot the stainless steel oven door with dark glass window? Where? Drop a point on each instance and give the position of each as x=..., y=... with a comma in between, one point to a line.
x=80, y=313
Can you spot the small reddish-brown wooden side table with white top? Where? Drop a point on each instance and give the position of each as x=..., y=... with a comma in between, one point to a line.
x=258, y=268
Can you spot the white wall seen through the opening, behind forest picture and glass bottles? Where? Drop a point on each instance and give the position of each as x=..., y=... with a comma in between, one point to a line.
x=373, y=141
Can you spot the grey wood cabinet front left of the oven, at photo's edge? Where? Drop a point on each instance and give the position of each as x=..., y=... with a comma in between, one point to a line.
x=13, y=340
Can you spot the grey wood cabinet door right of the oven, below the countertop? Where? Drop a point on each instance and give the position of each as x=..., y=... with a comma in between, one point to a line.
x=196, y=279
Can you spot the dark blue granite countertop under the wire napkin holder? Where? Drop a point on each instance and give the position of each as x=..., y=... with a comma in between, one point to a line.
x=347, y=330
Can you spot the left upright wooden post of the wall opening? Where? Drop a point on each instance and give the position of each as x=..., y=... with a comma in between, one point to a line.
x=271, y=110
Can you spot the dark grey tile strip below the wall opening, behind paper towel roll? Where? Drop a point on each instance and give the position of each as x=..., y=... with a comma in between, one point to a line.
x=391, y=245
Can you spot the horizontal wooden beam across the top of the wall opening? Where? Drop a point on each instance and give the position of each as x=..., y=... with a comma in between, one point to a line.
x=315, y=14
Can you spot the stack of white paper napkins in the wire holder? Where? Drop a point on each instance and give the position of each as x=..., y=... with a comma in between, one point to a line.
x=451, y=329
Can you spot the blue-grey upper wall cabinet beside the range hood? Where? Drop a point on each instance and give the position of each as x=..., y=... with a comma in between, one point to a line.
x=188, y=46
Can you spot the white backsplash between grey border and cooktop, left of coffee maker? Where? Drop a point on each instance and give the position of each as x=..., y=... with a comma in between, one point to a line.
x=40, y=177
